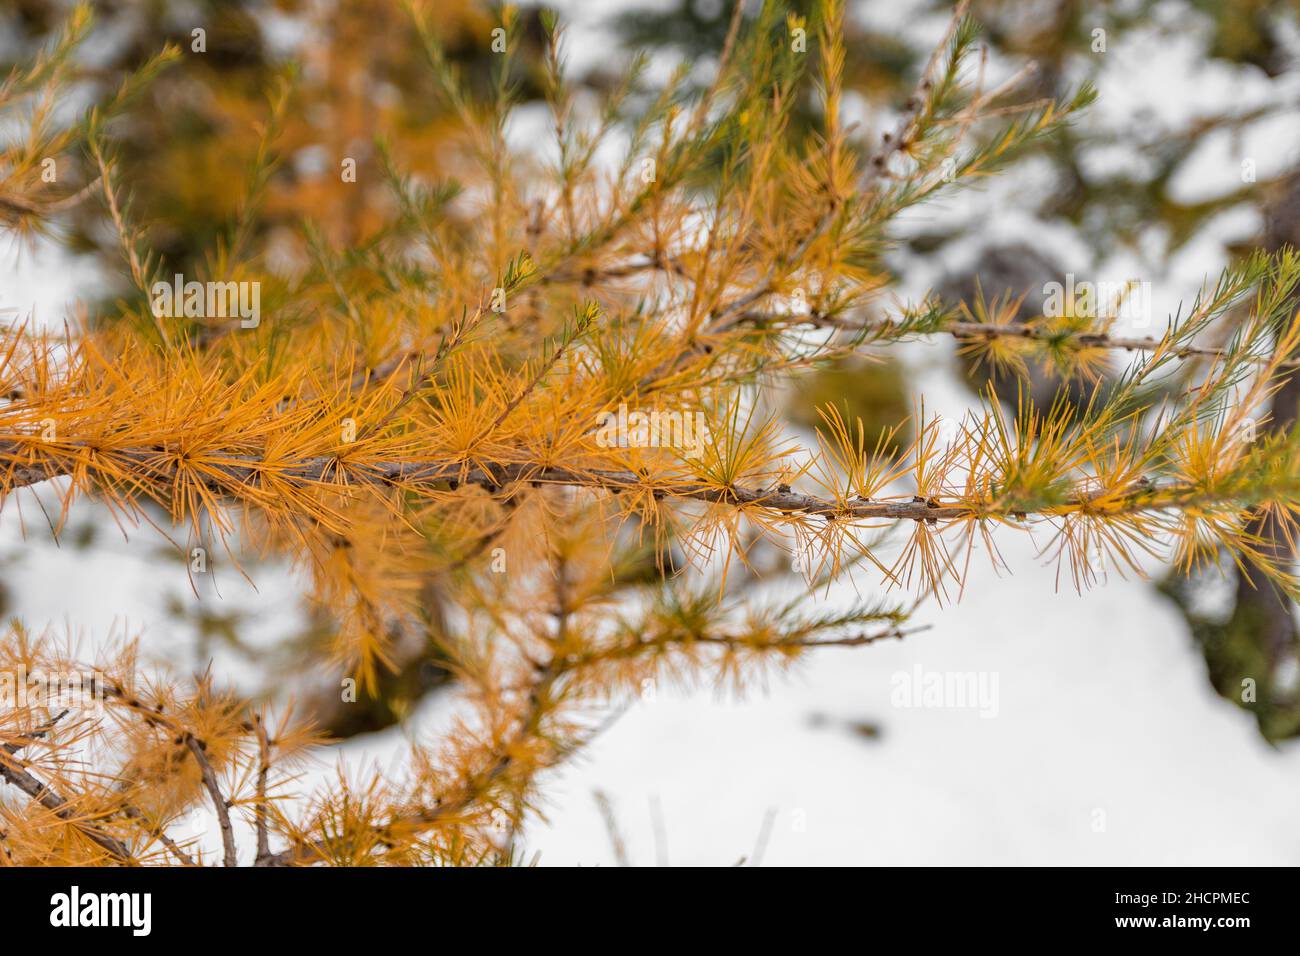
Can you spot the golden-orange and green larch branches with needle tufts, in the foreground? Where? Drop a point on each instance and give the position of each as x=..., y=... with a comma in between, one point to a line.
x=422, y=410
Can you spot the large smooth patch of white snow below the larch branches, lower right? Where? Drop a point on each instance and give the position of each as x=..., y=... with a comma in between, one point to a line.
x=1107, y=747
